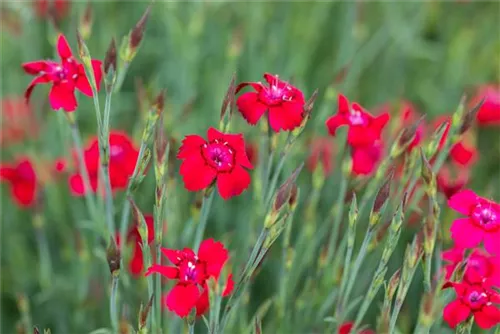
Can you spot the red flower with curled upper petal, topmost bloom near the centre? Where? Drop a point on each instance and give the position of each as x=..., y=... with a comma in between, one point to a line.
x=284, y=103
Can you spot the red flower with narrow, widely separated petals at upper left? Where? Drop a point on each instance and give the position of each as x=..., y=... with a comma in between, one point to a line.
x=64, y=76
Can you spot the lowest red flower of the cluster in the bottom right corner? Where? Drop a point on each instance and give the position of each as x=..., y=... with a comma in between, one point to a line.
x=473, y=297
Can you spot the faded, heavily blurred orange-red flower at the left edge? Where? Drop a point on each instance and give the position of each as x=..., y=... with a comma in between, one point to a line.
x=18, y=121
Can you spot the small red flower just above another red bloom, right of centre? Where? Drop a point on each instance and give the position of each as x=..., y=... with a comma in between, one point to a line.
x=364, y=128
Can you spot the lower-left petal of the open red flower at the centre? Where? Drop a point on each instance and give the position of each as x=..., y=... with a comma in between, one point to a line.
x=196, y=174
